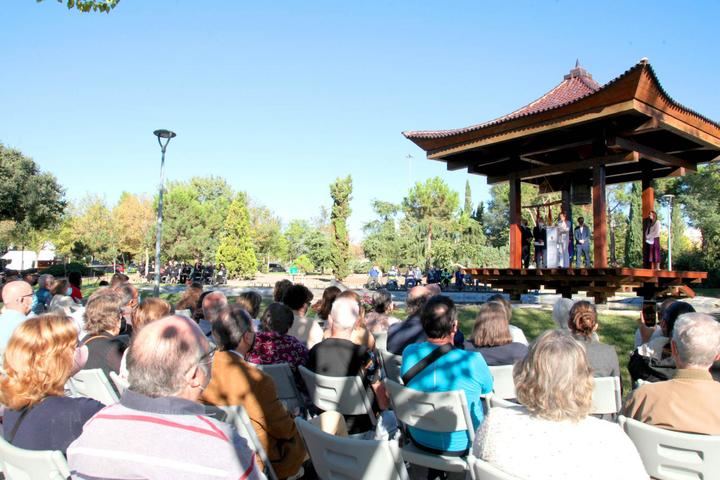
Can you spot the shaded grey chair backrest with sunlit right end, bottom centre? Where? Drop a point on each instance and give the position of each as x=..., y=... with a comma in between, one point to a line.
x=346, y=458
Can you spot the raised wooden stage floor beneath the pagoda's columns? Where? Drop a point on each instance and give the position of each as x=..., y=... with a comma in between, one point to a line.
x=599, y=283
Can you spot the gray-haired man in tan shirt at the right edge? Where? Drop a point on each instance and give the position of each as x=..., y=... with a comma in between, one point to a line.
x=688, y=402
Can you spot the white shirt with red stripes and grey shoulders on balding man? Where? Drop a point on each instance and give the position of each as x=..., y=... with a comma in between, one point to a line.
x=159, y=438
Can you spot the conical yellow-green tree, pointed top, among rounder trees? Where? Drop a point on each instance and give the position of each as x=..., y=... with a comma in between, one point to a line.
x=236, y=247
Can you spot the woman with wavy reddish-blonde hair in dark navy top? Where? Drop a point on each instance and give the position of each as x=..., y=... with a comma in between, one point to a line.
x=40, y=357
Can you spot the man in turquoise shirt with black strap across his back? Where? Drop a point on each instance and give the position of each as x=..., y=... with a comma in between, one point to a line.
x=456, y=369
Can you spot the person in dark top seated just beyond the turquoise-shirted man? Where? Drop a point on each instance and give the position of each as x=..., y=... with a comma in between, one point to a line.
x=411, y=331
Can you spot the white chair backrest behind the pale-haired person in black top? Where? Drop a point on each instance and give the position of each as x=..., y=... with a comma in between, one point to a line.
x=345, y=395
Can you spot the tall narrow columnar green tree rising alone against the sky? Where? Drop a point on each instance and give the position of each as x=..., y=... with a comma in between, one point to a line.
x=341, y=193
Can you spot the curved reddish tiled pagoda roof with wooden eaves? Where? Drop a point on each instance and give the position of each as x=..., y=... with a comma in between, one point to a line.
x=579, y=120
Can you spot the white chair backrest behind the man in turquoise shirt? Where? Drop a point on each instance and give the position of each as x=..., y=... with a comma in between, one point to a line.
x=436, y=411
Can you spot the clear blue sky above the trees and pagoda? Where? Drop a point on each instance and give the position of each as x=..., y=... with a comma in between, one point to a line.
x=280, y=98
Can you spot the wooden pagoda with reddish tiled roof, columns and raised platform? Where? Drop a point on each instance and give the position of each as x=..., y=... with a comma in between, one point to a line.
x=579, y=137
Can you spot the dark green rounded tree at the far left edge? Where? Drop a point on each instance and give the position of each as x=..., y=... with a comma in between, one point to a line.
x=30, y=198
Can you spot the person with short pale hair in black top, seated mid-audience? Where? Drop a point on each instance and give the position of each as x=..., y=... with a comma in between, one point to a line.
x=339, y=356
